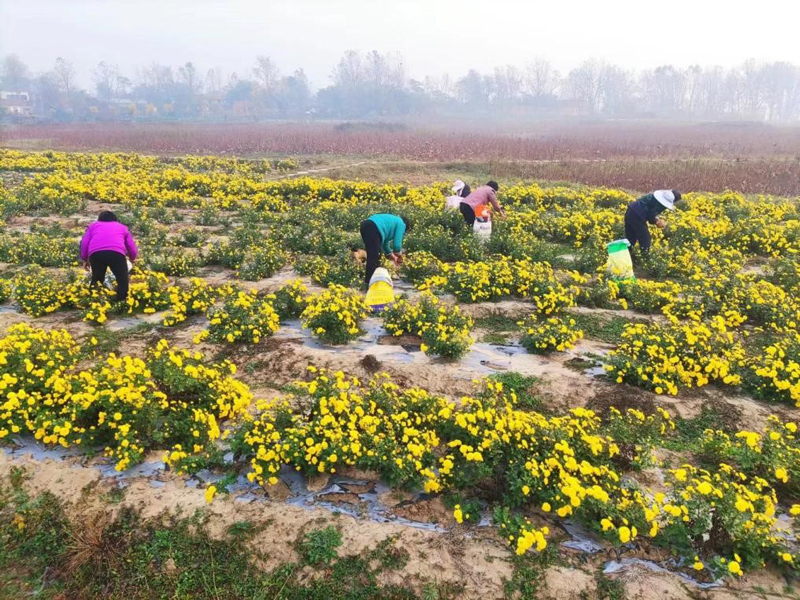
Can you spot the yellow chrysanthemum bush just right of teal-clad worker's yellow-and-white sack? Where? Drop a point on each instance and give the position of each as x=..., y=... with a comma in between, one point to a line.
x=444, y=329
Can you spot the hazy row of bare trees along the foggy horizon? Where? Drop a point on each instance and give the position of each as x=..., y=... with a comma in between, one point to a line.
x=373, y=84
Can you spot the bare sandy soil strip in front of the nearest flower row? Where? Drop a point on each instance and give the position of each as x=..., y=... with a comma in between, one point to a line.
x=474, y=559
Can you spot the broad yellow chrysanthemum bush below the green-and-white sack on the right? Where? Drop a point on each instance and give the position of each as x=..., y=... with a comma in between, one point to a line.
x=664, y=358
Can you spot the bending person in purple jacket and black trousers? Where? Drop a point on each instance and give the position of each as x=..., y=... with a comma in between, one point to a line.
x=105, y=244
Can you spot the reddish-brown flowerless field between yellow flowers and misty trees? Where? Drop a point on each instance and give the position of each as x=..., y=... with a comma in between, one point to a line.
x=750, y=158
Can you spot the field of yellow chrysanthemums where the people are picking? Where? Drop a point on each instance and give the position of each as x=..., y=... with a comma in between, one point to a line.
x=716, y=303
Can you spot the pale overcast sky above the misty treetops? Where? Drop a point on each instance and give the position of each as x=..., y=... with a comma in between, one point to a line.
x=433, y=36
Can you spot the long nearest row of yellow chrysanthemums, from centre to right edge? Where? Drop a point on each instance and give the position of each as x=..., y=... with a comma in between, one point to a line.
x=568, y=465
